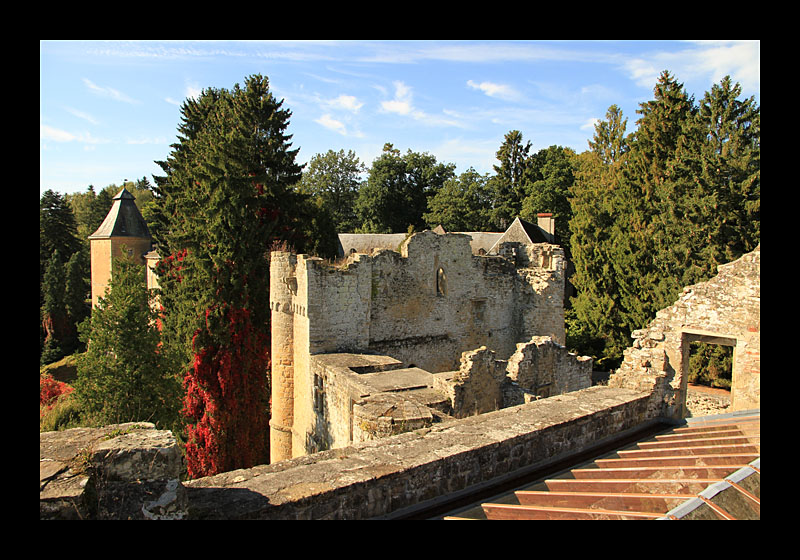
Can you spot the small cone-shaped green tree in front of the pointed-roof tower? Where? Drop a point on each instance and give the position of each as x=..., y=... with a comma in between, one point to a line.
x=122, y=376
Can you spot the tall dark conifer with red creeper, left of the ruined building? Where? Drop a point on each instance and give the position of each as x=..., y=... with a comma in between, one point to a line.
x=227, y=197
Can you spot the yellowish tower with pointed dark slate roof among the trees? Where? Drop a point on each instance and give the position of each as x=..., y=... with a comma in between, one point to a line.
x=123, y=226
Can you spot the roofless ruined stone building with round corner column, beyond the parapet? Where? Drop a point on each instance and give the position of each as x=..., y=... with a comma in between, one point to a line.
x=446, y=326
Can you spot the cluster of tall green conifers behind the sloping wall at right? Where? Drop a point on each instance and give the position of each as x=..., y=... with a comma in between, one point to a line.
x=661, y=208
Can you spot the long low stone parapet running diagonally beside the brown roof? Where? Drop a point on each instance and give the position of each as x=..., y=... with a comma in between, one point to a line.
x=394, y=475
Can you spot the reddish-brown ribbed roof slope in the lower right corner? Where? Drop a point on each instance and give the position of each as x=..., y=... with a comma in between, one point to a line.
x=706, y=469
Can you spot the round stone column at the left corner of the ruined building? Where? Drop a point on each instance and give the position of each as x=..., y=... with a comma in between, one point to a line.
x=281, y=288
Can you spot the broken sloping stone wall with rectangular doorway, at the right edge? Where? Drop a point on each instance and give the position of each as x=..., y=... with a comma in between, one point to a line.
x=724, y=310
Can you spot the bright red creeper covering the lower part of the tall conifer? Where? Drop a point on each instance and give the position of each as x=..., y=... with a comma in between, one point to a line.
x=225, y=402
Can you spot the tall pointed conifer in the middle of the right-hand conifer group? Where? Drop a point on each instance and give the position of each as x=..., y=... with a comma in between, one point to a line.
x=647, y=199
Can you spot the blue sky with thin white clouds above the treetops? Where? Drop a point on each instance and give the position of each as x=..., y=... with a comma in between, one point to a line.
x=109, y=109
